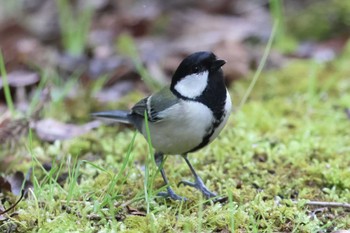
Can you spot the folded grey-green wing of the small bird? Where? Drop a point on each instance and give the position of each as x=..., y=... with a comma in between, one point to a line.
x=155, y=104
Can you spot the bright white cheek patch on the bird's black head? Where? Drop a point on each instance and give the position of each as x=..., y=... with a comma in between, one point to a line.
x=192, y=85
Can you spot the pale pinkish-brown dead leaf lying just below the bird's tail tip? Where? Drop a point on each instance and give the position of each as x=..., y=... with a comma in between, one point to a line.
x=51, y=130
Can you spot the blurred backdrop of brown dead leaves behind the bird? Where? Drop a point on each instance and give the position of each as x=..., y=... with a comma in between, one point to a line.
x=119, y=41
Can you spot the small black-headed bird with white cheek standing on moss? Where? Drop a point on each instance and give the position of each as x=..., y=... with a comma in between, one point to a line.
x=183, y=117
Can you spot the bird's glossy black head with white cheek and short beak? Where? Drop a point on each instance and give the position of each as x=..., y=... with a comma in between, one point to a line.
x=196, y=73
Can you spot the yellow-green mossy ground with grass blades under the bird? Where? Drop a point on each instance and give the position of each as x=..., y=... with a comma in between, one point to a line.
x=290, y=141
